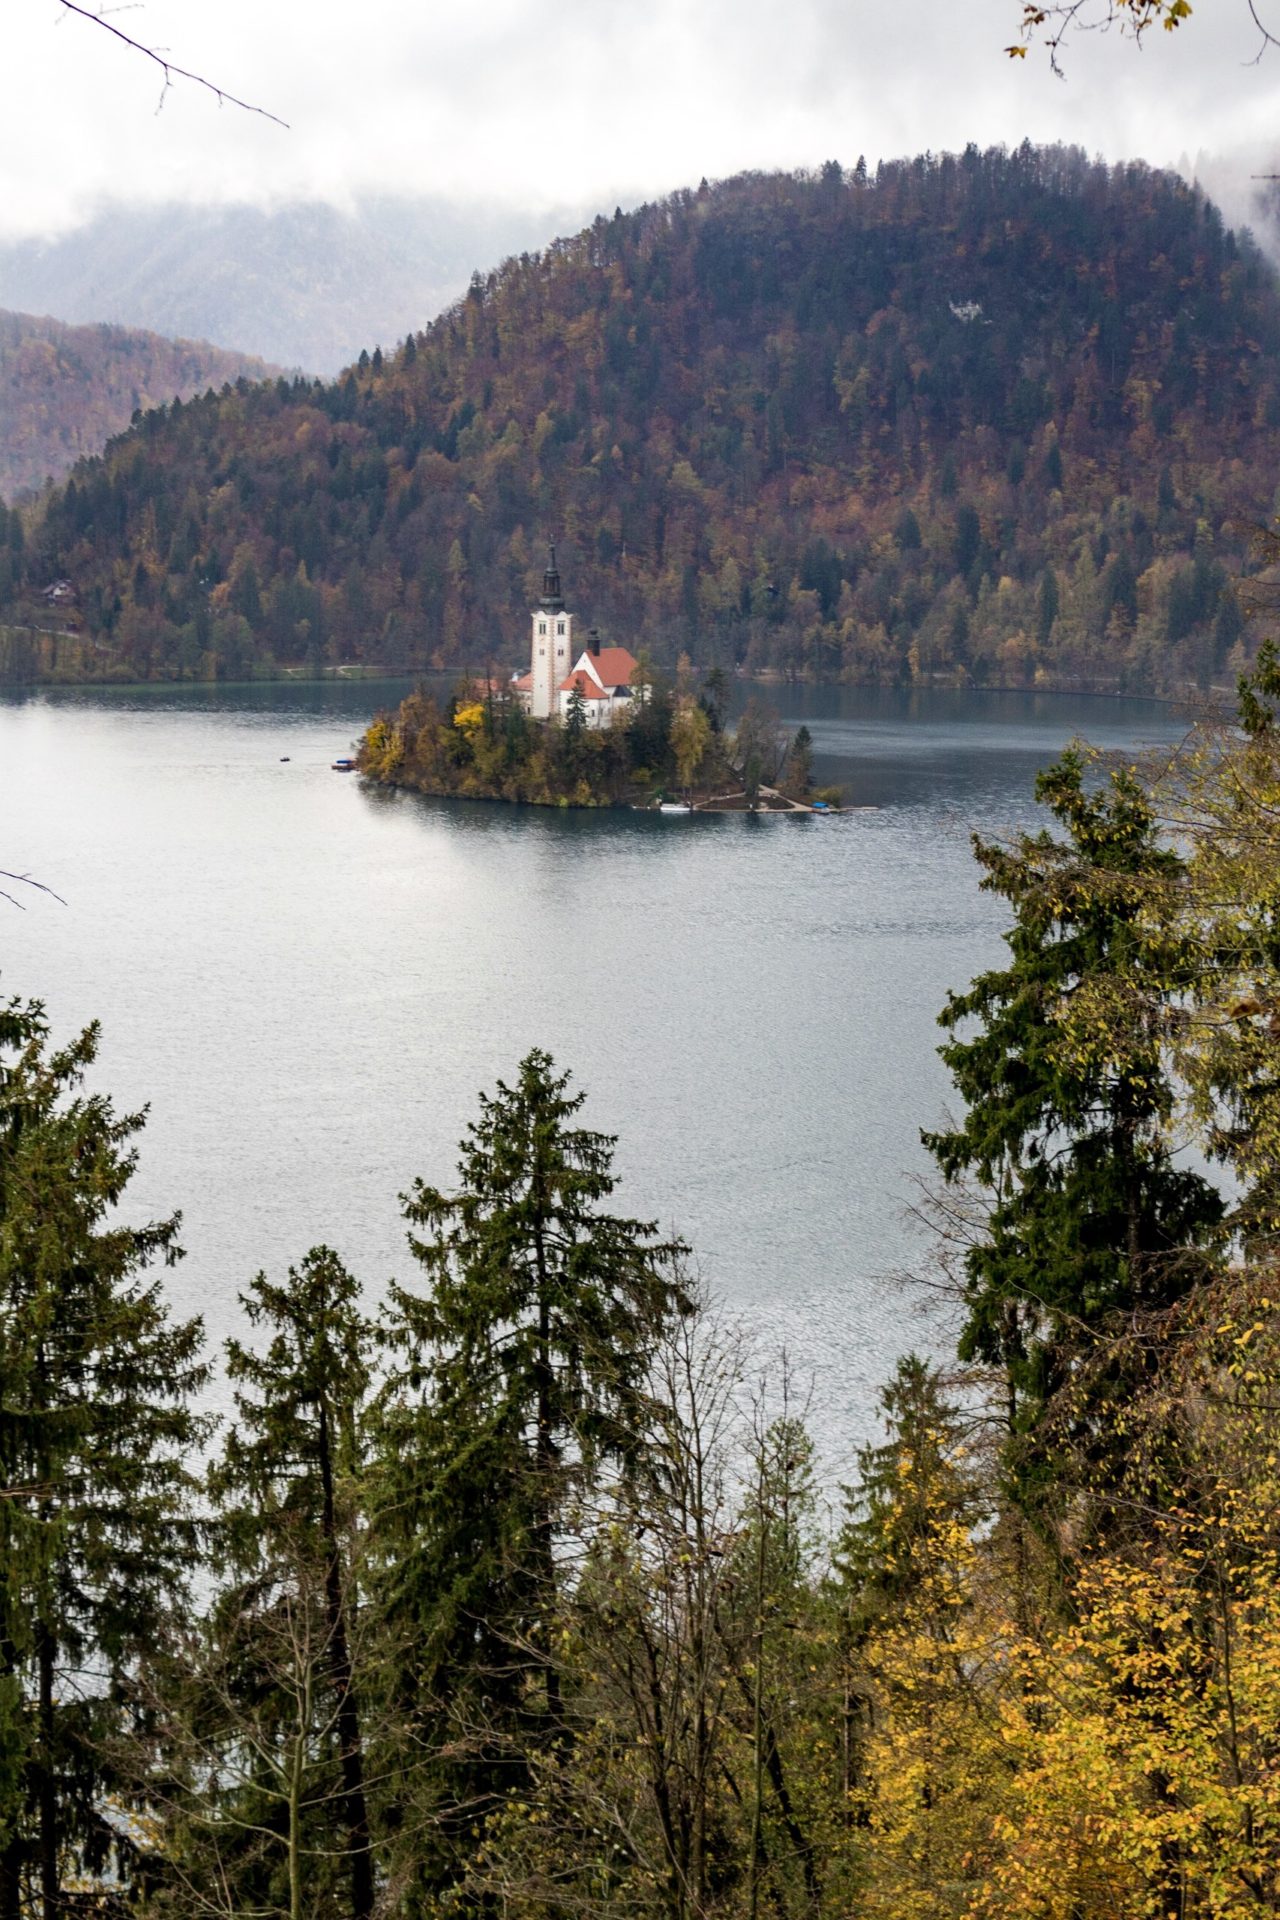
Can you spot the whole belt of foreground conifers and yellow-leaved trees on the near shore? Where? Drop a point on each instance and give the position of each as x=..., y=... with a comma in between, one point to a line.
x=529, y=1596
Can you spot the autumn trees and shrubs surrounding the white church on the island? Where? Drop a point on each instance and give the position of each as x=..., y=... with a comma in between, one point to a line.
x=481, y=744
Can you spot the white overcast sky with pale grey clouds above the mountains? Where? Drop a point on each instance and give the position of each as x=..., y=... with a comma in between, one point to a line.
x=581, y=103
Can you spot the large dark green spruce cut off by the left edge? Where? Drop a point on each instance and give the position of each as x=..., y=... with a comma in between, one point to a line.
x=97, y=1531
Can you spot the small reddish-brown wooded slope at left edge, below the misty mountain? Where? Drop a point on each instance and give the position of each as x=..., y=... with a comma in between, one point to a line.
x=66, y=391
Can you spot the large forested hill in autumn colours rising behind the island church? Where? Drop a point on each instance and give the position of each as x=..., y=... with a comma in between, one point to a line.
x=993, y=416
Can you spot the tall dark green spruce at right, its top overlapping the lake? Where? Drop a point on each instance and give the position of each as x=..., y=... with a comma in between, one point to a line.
x=1060, y=1059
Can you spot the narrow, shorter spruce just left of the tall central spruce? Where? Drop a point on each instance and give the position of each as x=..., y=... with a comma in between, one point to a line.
x=268, y=1796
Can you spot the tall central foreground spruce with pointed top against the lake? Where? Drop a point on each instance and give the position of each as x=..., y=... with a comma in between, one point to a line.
x=523, y=1376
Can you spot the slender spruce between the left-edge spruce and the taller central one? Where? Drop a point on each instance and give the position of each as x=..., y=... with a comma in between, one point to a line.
x=287, y=1499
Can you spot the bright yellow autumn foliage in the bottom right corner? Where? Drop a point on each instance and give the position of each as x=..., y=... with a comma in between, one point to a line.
x=1133, y=1737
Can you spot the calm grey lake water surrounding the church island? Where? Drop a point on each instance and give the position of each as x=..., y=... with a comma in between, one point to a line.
x=310, y=982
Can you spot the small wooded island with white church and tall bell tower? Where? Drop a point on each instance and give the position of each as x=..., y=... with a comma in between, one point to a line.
x=604, y=729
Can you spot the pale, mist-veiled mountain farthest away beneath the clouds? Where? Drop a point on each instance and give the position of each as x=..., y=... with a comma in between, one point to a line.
x=302, y=285
